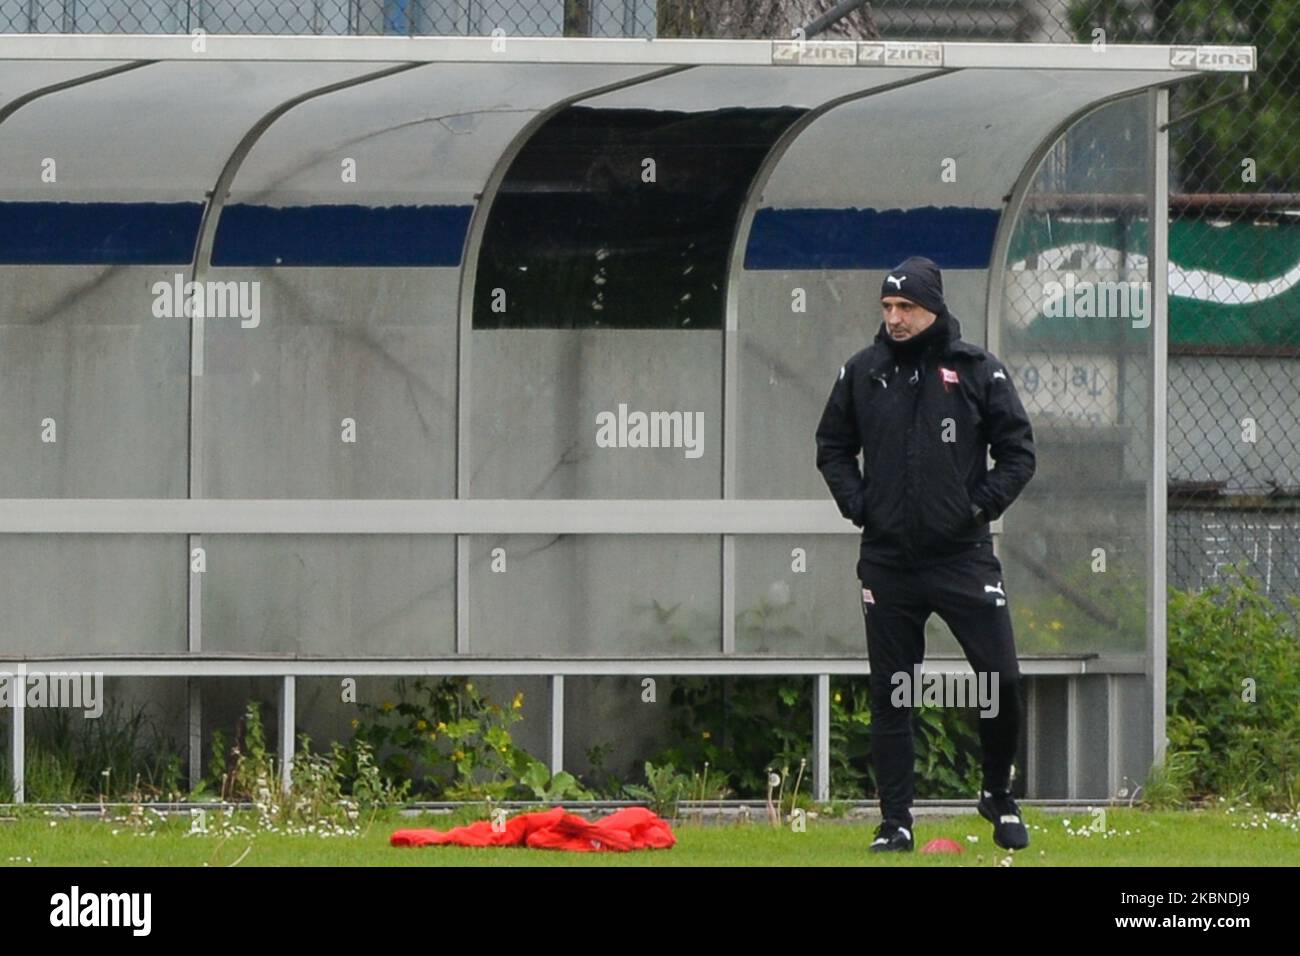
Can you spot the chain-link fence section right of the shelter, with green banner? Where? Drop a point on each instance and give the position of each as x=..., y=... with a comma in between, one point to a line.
x=1234, y=291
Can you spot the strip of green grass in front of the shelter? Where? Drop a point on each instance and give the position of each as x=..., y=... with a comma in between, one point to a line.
x=1132, y=838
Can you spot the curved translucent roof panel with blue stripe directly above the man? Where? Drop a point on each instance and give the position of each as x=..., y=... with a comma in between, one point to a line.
x=934, y=159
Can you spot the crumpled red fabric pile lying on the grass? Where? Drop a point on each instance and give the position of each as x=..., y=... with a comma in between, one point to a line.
x=634, y=828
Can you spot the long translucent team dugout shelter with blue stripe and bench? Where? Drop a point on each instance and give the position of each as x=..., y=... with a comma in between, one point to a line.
x=336, y=358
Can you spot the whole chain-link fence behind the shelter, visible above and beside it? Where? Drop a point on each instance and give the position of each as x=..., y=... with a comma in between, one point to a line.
x=1234, y=284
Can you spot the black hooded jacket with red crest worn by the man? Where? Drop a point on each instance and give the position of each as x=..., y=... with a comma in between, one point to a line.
x=925, y=421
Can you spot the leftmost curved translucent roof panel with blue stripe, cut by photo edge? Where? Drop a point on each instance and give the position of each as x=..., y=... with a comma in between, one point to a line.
x=118, y=170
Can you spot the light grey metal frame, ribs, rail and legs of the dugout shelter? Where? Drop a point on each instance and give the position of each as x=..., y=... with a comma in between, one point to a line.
x=463, y=517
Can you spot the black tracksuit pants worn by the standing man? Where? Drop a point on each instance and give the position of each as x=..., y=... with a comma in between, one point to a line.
x=968, y=592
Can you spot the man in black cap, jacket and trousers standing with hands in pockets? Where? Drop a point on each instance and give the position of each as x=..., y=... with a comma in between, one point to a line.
x=925, y=409
